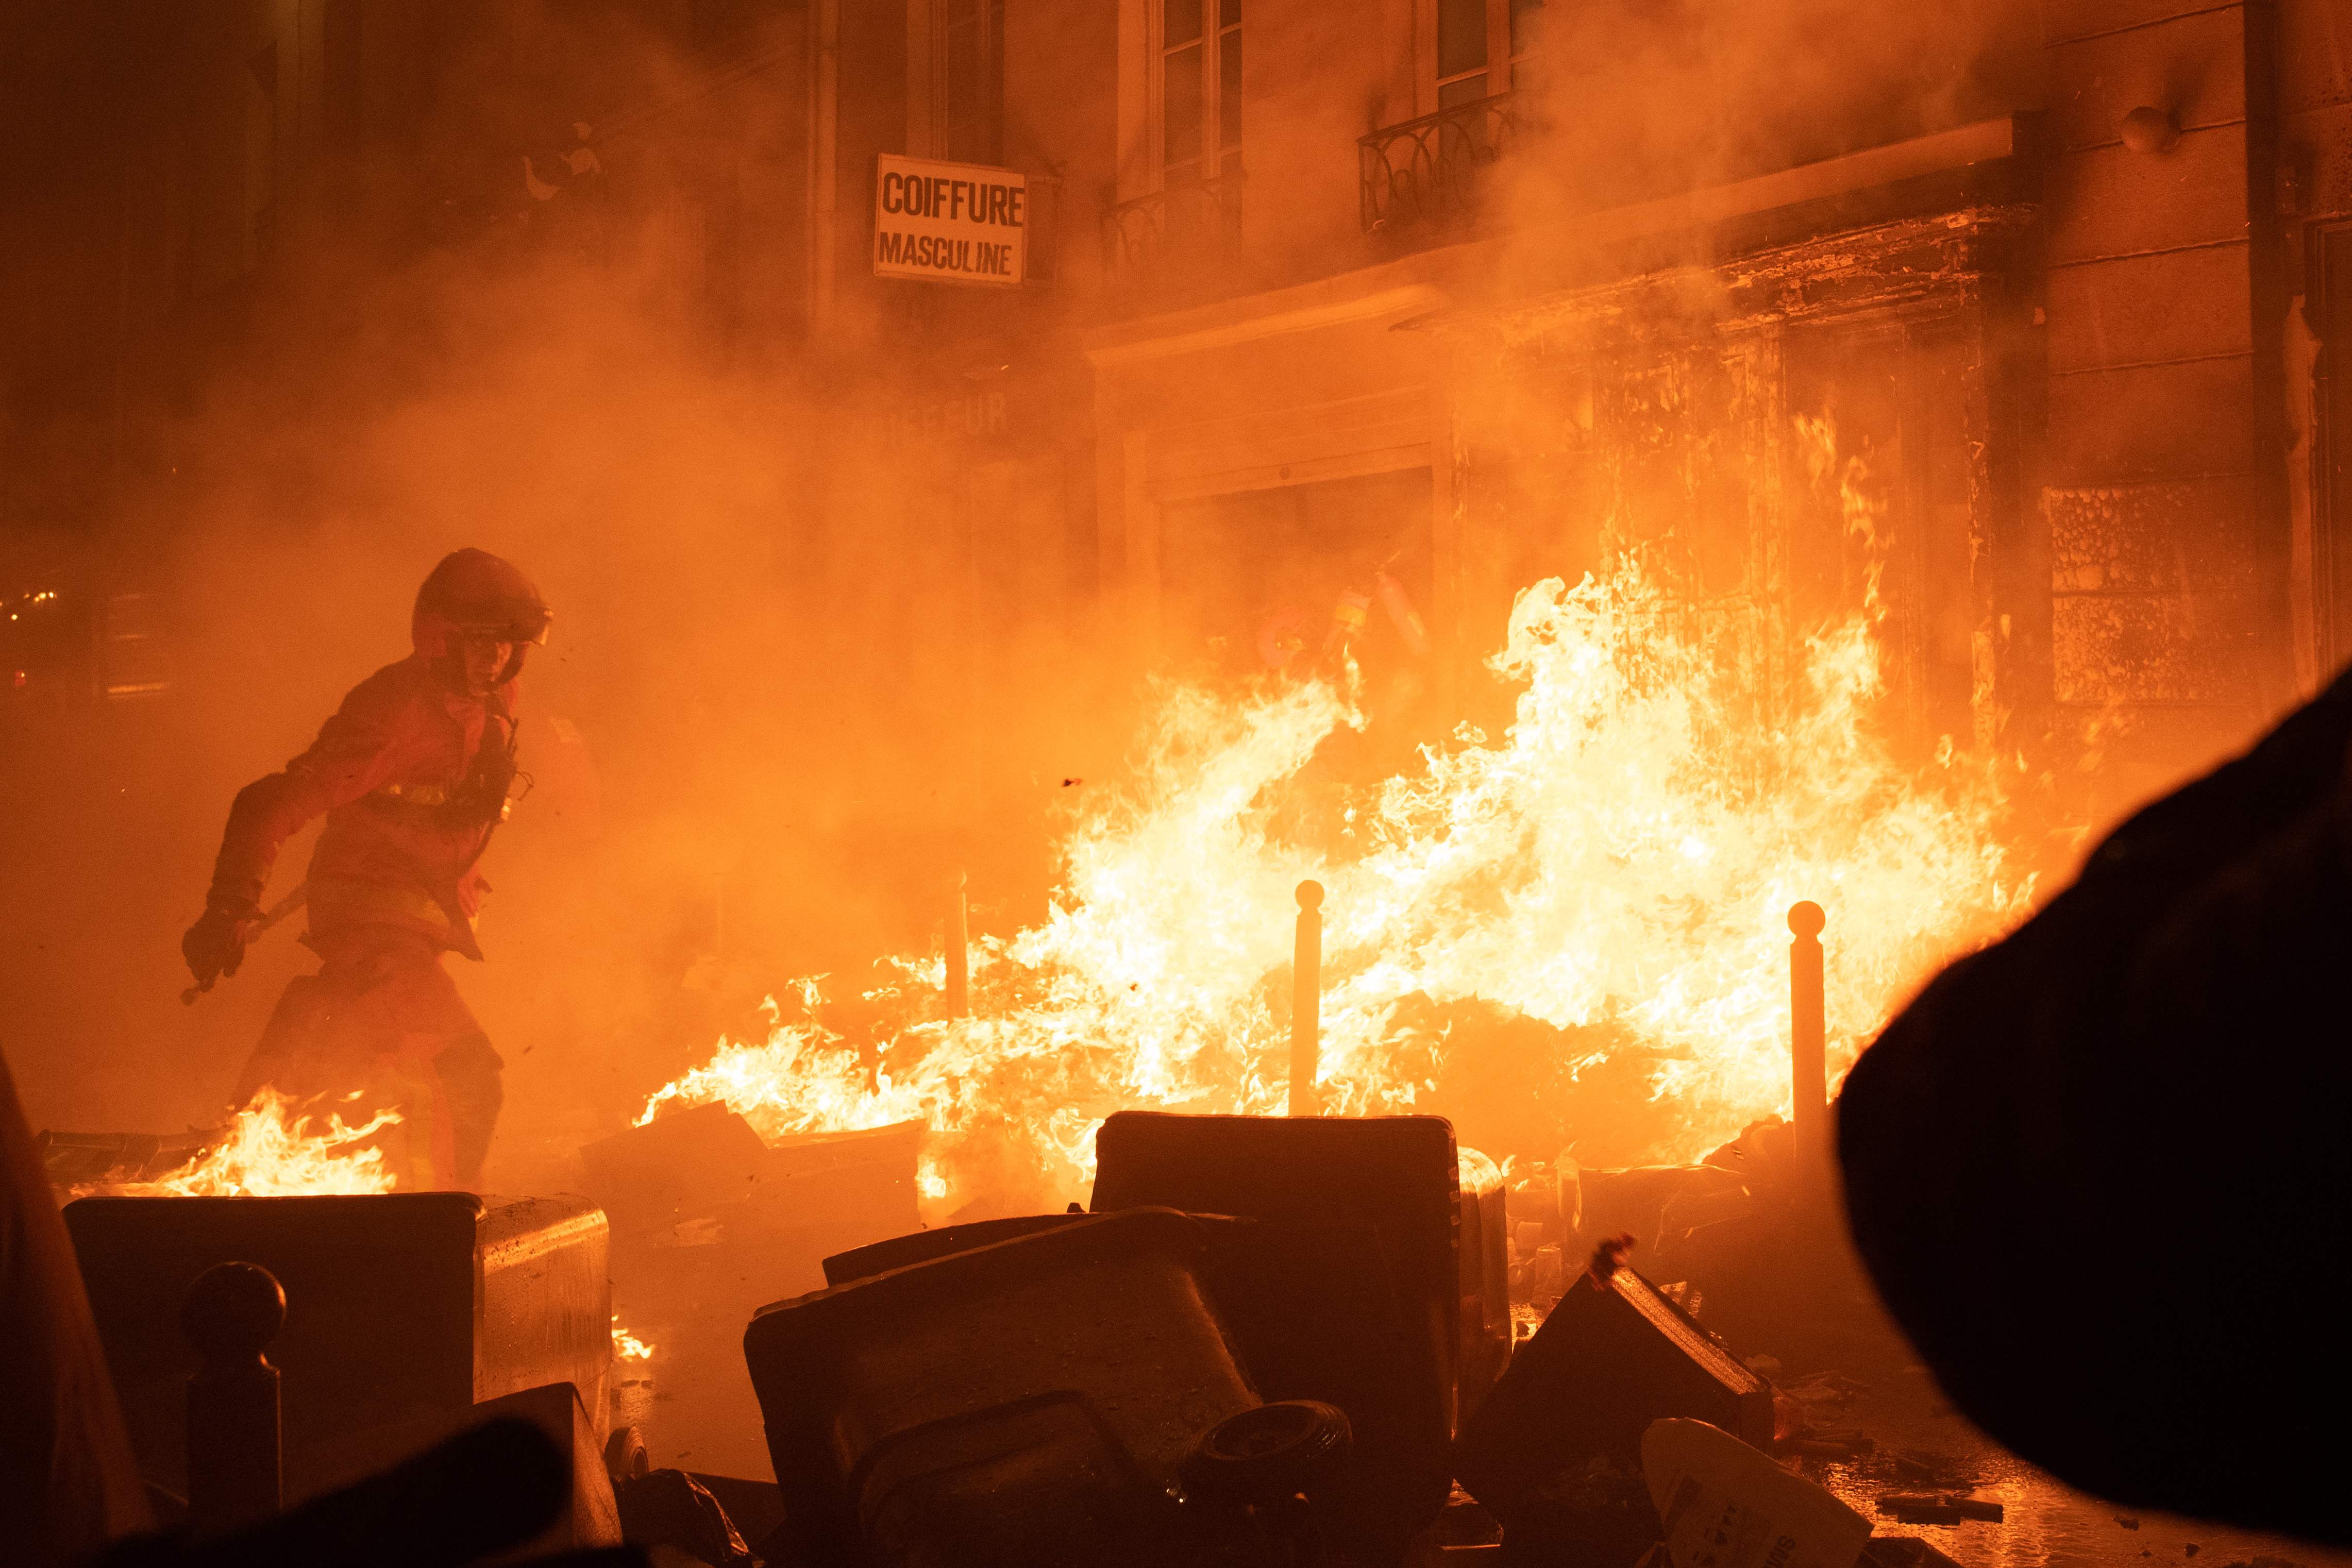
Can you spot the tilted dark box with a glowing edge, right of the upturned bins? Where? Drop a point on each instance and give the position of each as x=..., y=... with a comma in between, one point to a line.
x=1610, y=1360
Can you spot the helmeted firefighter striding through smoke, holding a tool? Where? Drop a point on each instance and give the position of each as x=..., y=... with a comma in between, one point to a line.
x=413, y=775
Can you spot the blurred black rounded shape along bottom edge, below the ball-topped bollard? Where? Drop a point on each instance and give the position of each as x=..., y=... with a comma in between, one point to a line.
x=483, y=1492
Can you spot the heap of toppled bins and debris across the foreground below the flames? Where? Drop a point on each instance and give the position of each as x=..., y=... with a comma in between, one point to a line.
x=1269, y=1341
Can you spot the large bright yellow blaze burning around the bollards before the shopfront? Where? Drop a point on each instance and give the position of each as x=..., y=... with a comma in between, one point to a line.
x=1617, y=864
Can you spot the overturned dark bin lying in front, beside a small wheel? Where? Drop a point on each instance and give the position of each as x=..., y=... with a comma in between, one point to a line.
x=1029, y=1402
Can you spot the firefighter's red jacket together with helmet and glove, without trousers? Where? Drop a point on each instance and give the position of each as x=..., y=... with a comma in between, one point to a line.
x=413, y=777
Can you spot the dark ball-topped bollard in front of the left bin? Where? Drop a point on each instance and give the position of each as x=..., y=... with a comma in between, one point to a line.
x=232, y=1315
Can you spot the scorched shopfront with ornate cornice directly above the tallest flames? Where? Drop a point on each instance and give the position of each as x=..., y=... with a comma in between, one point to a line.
x=1777, y=460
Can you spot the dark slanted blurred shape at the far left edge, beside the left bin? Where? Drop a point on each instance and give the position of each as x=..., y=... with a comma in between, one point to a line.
x=67, y=1473
